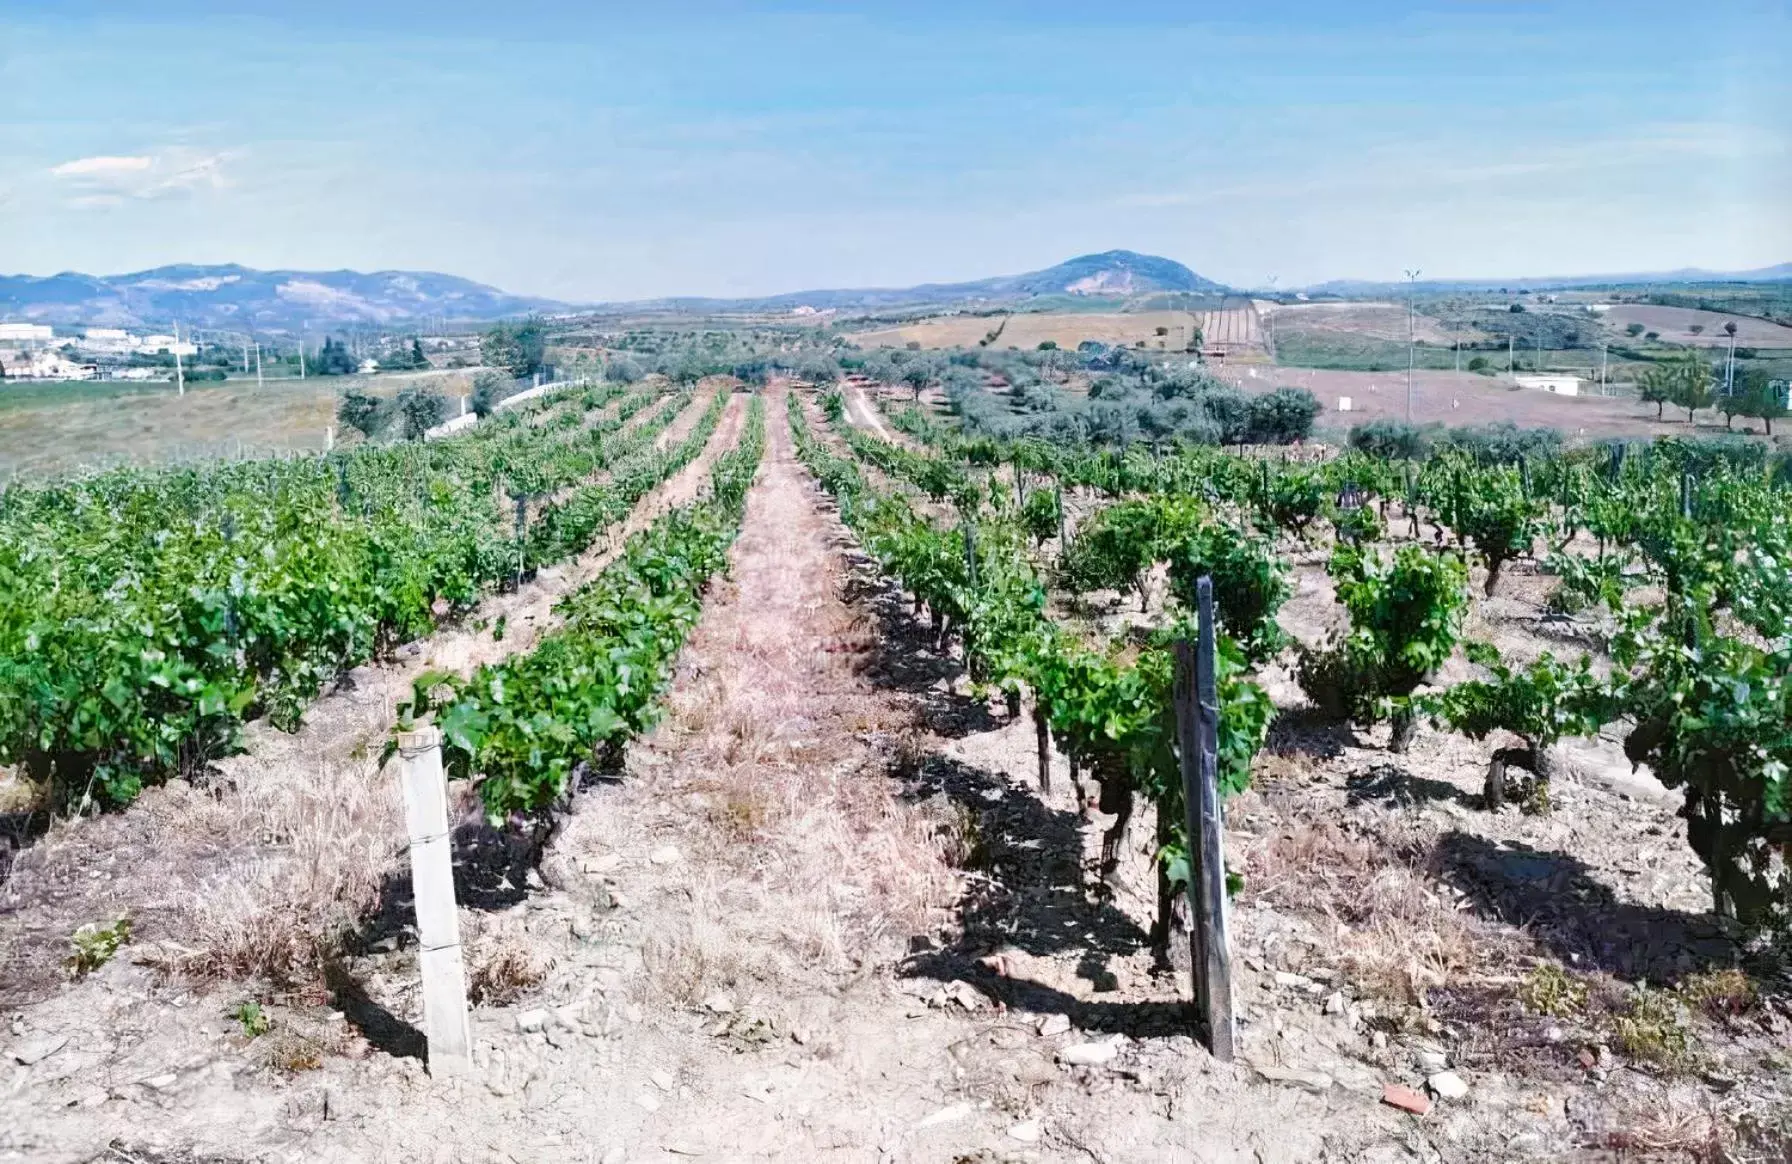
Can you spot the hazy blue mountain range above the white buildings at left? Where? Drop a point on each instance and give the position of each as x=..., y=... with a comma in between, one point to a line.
x=250, y=300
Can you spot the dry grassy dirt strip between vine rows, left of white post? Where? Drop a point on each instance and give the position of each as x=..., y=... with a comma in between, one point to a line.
x=239, y=877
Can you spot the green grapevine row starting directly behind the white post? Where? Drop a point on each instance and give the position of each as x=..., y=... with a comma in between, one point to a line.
x=526, y=728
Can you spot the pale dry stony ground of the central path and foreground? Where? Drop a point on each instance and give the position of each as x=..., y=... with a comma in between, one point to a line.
x=829, y=916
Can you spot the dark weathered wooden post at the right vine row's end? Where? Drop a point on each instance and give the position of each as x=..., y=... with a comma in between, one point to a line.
x=1198, y=744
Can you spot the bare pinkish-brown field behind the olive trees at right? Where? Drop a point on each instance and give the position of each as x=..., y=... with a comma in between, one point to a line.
x=1465, y=398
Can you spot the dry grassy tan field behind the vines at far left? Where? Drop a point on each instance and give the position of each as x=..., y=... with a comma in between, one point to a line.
x=83, y=425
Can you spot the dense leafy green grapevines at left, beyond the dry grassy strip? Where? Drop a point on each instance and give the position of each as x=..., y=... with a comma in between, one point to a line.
x=148, y=615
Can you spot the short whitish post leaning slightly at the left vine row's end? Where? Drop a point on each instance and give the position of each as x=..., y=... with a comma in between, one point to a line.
x=445, y=1020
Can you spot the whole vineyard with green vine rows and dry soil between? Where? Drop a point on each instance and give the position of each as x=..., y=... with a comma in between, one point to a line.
x=840, y=732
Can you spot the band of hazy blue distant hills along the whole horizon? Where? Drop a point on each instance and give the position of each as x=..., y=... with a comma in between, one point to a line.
x=241, y=298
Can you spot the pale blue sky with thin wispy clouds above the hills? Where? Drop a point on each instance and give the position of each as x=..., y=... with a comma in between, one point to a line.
x=607, y=151
